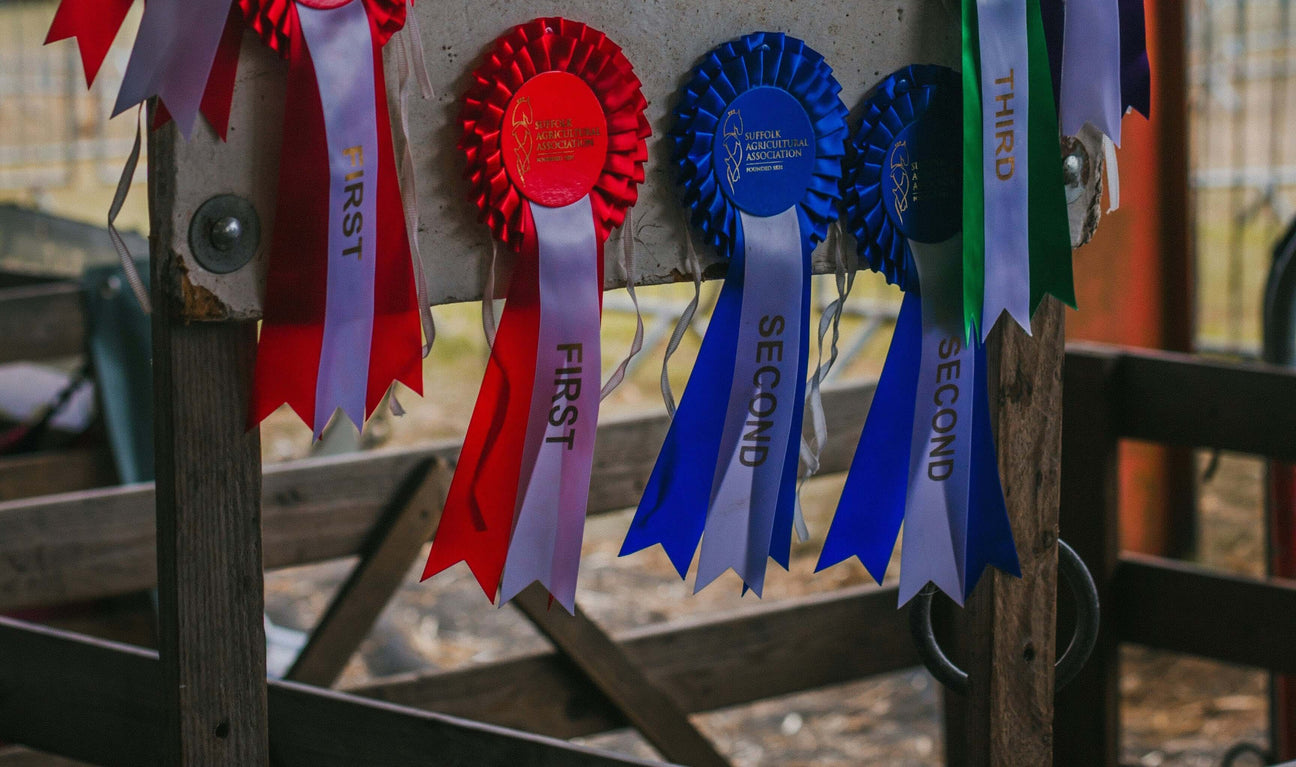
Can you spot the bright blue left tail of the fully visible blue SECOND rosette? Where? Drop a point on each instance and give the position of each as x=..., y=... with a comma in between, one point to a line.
x=673, y=509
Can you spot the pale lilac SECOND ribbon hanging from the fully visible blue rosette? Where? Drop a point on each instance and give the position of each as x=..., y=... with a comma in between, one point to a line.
x=759, y=420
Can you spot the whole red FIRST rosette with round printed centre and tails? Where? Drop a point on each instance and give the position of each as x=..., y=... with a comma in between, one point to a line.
x=554, y=134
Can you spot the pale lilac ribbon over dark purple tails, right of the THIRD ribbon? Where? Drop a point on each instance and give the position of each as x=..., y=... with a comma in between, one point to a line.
x=1092, y=68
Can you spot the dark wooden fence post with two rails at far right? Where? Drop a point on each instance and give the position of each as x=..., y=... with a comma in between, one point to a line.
x=1115, y=395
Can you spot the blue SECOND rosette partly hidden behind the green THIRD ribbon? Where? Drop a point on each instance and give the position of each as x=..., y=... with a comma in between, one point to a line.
x=926, y=458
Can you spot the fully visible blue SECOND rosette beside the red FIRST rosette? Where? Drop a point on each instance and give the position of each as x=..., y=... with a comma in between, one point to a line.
x=760, y=135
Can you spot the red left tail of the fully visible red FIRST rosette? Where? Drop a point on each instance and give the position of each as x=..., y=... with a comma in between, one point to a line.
x=478, y=523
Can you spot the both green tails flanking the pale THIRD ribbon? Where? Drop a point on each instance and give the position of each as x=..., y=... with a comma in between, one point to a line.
x=1048, y=222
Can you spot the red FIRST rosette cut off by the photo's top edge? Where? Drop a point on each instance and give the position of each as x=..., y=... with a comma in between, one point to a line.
x=341, y=321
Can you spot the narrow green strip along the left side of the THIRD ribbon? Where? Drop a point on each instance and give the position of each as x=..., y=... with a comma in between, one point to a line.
x=974, y=192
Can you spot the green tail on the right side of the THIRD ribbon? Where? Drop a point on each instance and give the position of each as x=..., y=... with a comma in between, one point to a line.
x=1050, y=229
